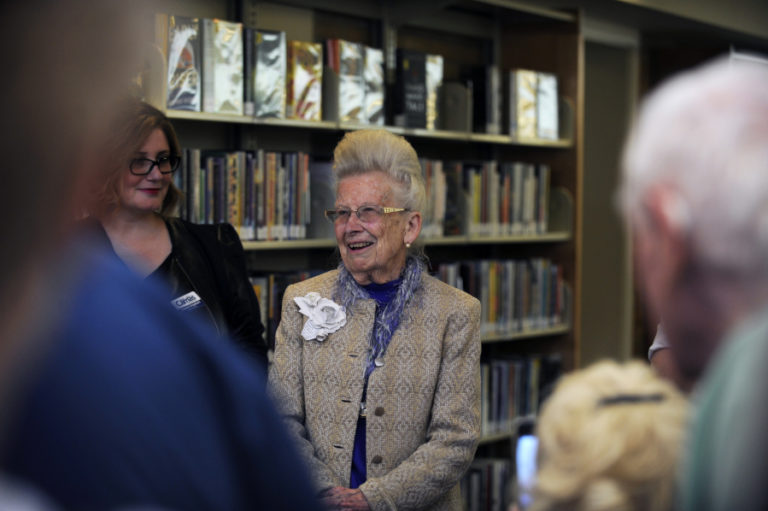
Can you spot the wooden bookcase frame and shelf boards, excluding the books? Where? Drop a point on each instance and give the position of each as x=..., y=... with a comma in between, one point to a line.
x=467, y=33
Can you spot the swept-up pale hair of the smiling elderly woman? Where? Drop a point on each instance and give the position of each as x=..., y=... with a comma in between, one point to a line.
x=371, y=150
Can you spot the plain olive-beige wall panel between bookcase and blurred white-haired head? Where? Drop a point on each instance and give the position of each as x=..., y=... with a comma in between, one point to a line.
x=606, y=297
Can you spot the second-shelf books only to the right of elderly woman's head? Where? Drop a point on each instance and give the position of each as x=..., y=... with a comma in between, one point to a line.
x=486, y=198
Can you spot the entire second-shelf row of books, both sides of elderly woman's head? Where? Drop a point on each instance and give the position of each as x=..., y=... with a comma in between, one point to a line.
x=268, y=195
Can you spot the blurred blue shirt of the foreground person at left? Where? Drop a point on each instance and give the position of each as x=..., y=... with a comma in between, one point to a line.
x=133, y=405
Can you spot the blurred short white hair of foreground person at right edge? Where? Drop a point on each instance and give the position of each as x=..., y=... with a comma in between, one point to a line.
x=703, y=137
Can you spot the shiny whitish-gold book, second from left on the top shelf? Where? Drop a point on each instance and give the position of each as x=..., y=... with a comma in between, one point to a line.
x=222, y=66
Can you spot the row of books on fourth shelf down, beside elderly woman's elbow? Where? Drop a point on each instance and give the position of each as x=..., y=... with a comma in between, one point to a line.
x=515, y=387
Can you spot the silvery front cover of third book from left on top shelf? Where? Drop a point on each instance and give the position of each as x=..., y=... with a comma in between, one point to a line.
x=270, y=74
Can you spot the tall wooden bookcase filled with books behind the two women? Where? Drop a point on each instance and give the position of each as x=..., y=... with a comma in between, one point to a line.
x=490, y=93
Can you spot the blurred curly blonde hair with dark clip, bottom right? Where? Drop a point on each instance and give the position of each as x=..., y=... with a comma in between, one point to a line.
x=609, y=439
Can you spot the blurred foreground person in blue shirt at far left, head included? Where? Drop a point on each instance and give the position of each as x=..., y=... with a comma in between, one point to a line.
x=110, y=398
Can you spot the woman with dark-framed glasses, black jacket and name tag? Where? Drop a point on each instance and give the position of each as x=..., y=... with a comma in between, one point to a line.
x=203, y=264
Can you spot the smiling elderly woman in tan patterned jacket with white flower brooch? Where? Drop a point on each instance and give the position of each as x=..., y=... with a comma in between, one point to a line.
x=377, y=364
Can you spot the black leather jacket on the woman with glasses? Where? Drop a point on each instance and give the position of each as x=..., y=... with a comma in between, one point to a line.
x=209, y=260
